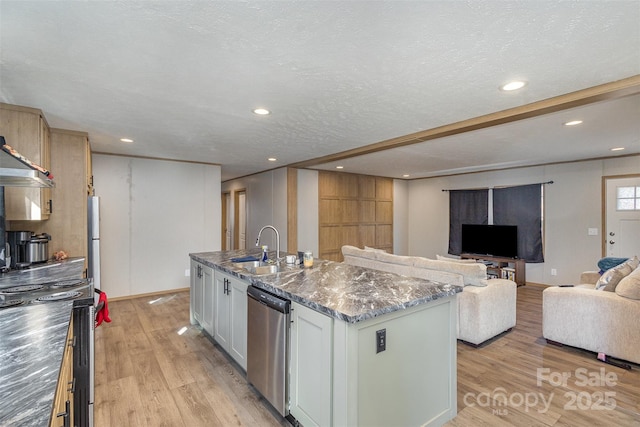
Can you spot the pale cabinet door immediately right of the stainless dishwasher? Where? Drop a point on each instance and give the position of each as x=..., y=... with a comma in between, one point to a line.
x=311, y=373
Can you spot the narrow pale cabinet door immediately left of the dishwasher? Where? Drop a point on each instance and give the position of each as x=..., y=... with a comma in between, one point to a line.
x=238, y=335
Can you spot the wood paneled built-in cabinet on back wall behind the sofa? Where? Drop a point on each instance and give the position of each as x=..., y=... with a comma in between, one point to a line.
x=354, y=210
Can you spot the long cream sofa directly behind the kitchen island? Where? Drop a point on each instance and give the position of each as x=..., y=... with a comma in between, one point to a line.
x=486, y=307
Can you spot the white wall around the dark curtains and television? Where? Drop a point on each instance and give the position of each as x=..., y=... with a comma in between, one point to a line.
x=572, y=205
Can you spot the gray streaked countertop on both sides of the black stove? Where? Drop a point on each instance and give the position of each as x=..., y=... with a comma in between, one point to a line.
x=32, y=343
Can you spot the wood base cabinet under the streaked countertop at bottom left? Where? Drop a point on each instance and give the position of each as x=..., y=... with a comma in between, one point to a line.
x=62, y=411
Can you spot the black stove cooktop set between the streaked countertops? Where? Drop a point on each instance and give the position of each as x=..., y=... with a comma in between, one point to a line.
x=79, y=290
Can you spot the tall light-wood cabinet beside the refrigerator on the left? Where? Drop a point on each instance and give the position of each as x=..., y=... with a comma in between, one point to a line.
x=71, y=166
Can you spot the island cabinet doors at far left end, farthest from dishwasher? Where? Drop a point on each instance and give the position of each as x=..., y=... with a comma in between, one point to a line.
x=202, y=296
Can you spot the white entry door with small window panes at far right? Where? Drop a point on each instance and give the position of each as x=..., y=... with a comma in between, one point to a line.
x=622, y=236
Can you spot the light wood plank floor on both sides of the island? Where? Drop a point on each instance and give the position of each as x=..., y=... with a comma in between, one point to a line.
x=149, y=375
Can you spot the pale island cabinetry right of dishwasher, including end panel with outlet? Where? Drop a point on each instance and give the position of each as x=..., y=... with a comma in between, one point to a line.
x=339, y=378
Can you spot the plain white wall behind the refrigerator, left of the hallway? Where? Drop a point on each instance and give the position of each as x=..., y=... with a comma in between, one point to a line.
x=153, y=213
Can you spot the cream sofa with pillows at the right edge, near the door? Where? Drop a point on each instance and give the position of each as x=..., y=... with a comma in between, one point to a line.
x=599, y=314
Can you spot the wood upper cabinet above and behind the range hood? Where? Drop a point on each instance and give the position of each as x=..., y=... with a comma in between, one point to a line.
x=26, y=130
